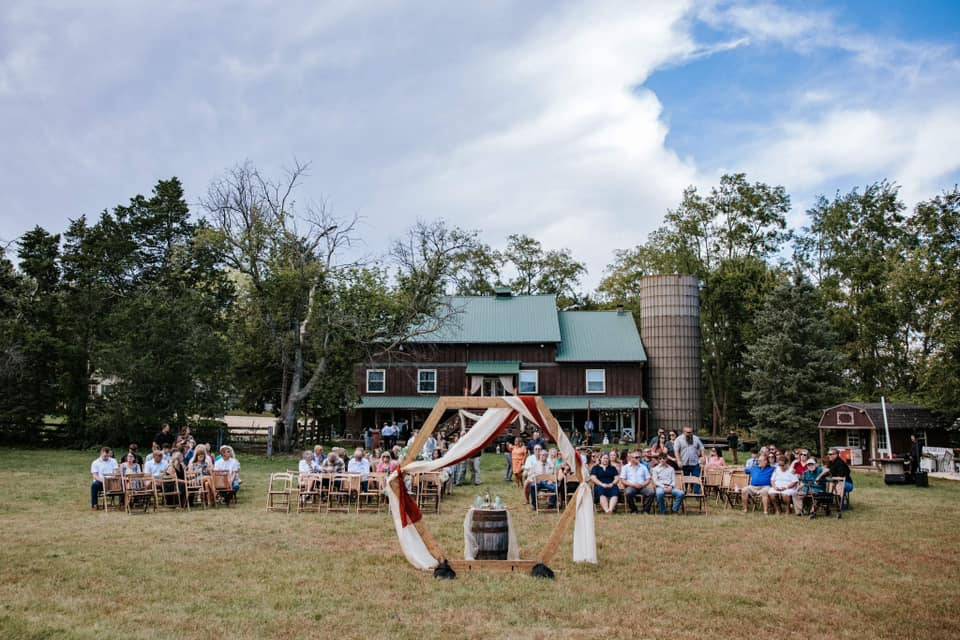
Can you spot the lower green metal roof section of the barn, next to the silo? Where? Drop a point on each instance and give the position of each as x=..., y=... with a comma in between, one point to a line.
x=599, y=336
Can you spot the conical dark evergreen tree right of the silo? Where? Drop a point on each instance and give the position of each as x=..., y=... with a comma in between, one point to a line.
x=793, y=366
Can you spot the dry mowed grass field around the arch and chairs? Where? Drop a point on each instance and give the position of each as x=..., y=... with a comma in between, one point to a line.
x=888, y=569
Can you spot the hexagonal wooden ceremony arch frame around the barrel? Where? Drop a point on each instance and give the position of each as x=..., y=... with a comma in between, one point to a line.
x=550, y=425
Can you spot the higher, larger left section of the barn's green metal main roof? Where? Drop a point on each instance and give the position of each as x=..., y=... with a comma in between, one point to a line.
x=499, y=319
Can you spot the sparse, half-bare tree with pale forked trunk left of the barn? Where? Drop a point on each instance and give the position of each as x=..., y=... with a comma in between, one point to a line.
x=317, y=307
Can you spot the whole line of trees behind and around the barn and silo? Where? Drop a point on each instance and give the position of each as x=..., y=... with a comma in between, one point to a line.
x=256, y=298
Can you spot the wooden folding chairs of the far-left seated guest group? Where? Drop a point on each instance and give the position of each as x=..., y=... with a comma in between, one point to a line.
x=133, y=491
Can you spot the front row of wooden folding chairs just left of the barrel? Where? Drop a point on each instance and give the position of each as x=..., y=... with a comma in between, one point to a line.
x=345, y=492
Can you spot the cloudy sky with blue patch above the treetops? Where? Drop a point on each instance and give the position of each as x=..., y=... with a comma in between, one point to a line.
x=579, y=123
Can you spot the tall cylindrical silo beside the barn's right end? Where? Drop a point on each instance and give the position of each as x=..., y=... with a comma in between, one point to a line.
x=670, y=330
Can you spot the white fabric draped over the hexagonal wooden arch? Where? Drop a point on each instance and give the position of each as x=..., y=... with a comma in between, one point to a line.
x=416, y=552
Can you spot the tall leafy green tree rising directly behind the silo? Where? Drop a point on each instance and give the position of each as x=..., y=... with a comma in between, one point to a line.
x=726, y=239
